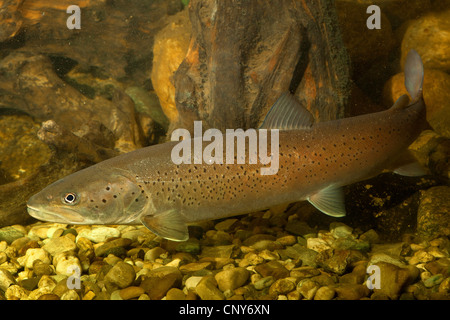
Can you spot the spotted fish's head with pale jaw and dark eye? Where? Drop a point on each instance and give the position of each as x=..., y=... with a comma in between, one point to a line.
x=91, y=196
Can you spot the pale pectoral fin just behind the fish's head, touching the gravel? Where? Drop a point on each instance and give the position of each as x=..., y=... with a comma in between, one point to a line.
x=168, y=224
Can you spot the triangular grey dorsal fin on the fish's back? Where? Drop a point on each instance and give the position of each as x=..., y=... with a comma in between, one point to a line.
x=287, y=114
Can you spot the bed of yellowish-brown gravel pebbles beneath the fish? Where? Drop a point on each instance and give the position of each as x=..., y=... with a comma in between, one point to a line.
x=259, y=256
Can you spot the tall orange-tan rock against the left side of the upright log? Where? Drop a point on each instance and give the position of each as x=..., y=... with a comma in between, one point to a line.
x=169, y=49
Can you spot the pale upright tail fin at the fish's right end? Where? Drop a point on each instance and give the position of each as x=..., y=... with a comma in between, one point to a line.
x=414, y=75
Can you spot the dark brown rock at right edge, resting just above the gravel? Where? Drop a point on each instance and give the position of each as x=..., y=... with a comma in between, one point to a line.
x=433, y=218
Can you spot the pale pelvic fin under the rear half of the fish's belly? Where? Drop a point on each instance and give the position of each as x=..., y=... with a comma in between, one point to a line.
x=330, y=201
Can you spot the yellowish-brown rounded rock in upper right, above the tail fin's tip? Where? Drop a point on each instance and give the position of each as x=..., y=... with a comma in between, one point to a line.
x=434, y=49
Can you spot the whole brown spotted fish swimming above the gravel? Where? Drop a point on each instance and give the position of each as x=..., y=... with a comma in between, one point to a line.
x=315, y=162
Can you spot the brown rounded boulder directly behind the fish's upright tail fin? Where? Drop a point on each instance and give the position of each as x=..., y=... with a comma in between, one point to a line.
x=436, y=95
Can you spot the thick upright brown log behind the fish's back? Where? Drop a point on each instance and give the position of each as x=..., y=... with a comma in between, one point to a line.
x=244, y=55
